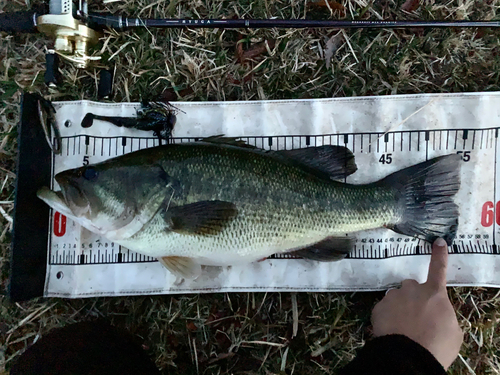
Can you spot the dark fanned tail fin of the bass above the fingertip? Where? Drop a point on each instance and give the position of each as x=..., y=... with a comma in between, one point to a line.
x=426, y=193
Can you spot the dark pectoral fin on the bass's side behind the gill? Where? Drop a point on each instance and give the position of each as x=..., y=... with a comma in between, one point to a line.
x=205, y=217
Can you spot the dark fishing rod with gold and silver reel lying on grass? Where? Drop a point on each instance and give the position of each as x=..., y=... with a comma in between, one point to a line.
x=74, y=30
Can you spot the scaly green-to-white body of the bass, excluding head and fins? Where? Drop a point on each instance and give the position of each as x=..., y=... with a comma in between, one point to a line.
x=271, y=215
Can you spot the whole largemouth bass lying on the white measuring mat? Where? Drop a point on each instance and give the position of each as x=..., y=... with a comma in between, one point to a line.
x=220, y=202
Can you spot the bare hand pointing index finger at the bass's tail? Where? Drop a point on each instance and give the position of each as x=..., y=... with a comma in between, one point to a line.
x=423, y=312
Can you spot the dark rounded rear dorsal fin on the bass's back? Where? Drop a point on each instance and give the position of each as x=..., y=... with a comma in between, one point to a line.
x=333, y=162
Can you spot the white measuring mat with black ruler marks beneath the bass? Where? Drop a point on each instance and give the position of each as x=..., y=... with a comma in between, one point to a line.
x=385, y=134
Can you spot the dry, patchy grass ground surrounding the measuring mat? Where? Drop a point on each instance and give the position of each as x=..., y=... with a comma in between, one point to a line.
x=249, y=333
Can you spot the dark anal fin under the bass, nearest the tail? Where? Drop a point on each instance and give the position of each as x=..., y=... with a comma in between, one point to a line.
x=328, y=250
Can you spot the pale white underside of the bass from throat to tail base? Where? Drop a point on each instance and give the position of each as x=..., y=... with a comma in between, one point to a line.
x=252, y=236
